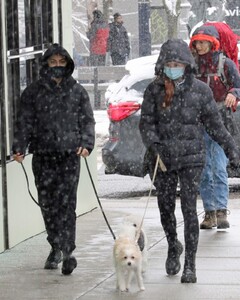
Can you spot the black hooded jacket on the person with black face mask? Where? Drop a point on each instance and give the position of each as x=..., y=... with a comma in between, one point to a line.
x=51, y=117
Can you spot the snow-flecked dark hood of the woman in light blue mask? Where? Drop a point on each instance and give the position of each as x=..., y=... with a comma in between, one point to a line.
x=175, y=50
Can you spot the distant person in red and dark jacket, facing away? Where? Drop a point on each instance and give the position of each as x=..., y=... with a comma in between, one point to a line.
x=98, y=35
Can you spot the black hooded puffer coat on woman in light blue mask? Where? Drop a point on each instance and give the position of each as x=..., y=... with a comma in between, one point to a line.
x=177, y=131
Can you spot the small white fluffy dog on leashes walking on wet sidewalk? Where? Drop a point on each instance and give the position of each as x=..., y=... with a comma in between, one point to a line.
x=130, y=255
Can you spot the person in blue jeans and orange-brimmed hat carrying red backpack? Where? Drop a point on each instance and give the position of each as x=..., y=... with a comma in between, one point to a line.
x=222, y=76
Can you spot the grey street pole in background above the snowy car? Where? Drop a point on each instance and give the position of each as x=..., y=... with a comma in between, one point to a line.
x=144, y=27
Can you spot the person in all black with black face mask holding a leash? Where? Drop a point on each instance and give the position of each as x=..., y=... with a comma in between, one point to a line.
x=55, y=123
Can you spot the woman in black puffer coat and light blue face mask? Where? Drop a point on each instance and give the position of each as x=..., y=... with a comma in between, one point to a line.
x=175, y=110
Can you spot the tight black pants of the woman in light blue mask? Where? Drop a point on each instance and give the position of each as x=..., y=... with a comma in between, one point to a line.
x=166, y=185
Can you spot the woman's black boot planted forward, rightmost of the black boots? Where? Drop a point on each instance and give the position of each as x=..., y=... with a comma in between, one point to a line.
x=189, y=272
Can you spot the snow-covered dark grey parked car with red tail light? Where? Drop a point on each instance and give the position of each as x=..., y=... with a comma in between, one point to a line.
x=124, y=151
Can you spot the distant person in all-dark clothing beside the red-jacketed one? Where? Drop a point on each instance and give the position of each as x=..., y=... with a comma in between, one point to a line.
x=118, y=42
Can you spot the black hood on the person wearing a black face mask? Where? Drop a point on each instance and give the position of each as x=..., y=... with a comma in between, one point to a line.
x=56, y=49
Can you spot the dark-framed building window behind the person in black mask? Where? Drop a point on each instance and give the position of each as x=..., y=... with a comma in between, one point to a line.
x=29, y=33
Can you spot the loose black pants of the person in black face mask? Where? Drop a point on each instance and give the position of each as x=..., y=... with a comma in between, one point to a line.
x=56, y=179
